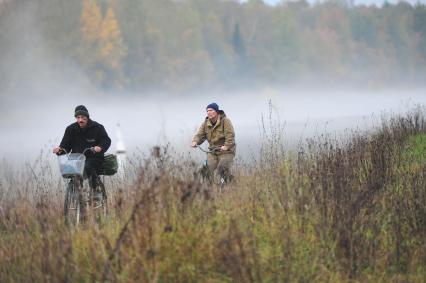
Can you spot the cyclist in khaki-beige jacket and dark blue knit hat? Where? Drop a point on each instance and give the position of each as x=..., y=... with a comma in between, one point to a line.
x=217, y=129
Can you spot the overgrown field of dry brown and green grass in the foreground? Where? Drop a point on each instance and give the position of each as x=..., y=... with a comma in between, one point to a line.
x=335, y=210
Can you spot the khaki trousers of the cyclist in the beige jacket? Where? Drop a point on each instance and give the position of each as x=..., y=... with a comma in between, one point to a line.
x=220, y=165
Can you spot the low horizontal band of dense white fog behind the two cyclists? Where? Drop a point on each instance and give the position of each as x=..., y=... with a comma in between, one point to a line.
x=30, y=125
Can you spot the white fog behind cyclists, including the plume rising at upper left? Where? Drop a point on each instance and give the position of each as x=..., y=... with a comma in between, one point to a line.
x=40, y=91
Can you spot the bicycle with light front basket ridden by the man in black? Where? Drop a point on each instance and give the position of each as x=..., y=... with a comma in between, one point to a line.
x=78, y=199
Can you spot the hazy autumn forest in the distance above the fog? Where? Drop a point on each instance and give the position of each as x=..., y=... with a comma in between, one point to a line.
x=193, y=44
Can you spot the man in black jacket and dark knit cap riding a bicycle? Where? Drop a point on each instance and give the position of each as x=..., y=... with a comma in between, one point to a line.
x=86, y=133
